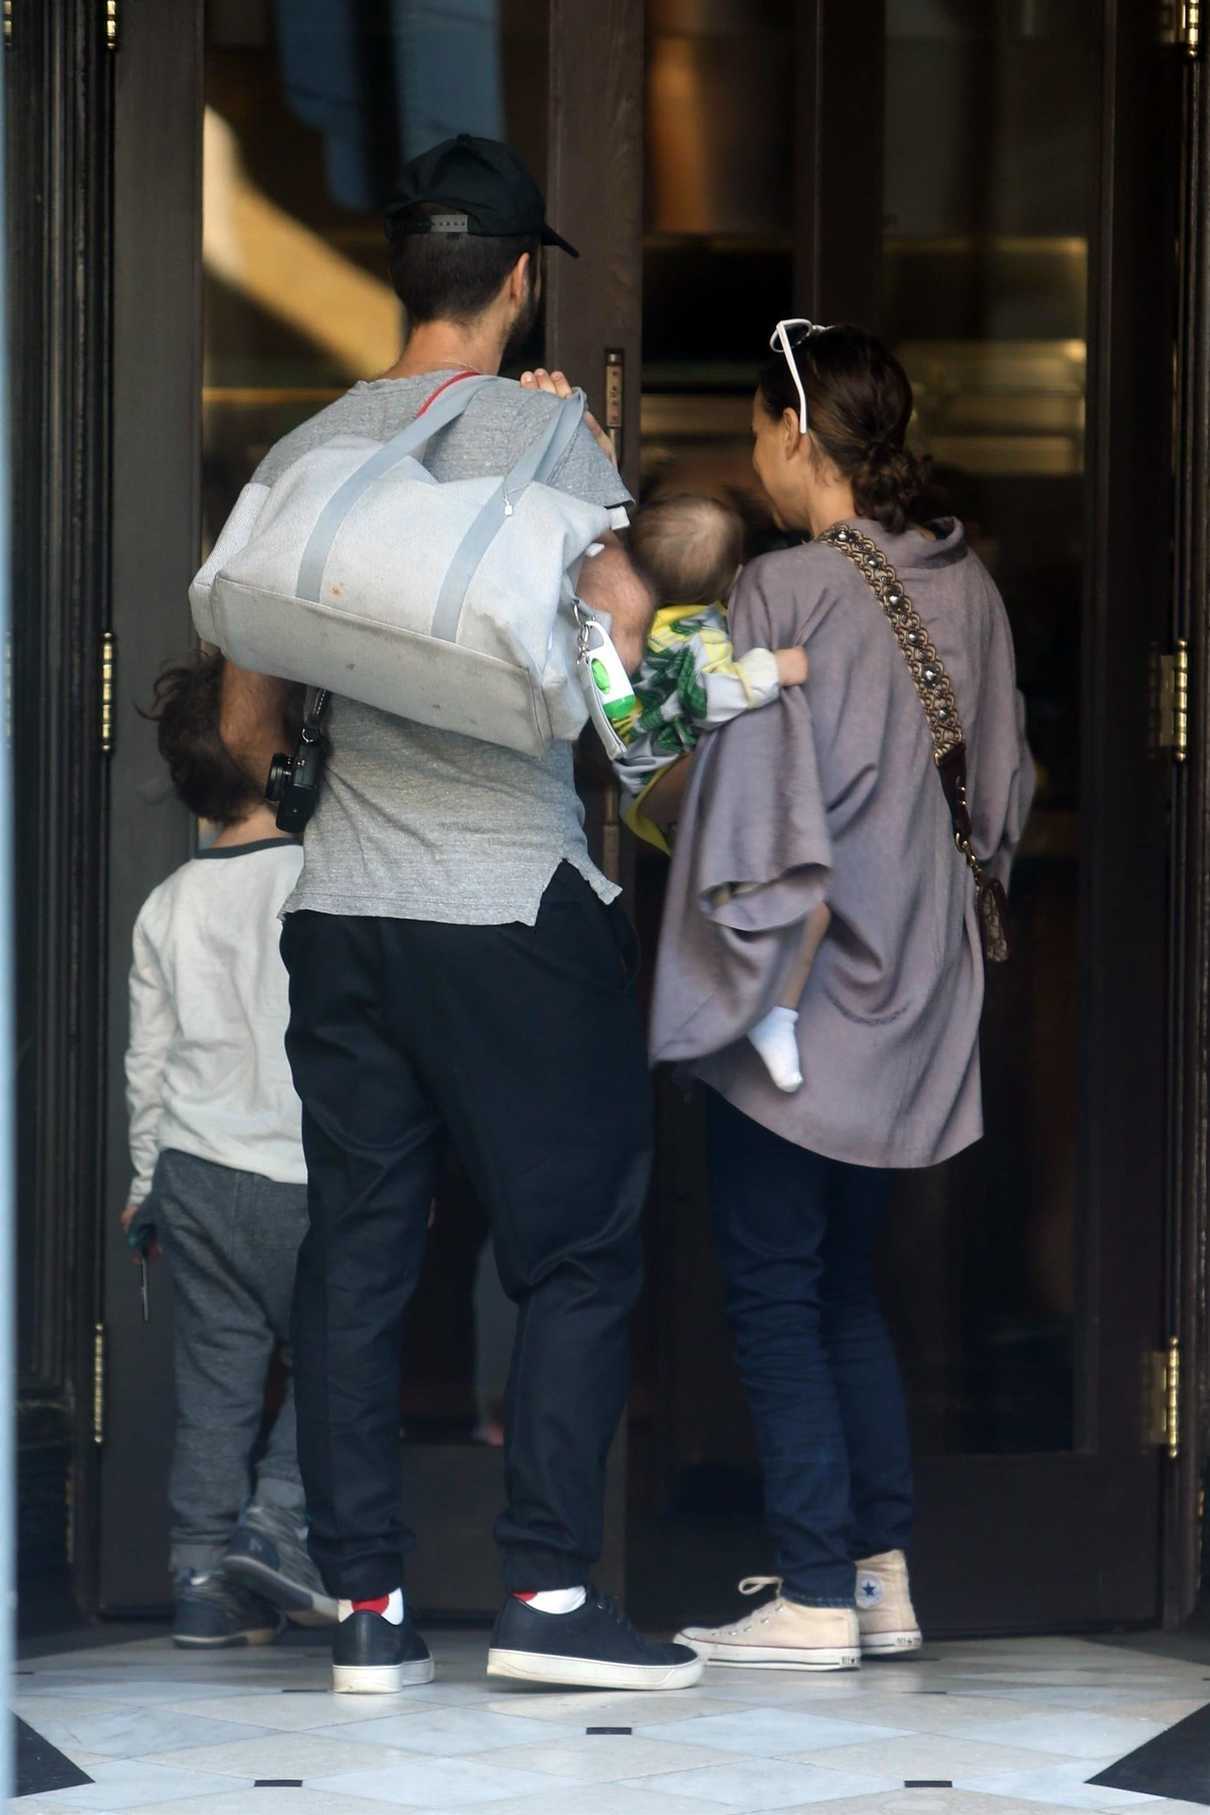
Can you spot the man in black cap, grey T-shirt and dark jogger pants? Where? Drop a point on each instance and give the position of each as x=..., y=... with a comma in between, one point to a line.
x=460, y=968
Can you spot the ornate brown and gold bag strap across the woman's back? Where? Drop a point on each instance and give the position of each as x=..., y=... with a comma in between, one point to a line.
x=937, y=696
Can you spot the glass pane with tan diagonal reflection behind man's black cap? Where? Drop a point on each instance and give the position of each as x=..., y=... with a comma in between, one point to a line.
x=311, y=110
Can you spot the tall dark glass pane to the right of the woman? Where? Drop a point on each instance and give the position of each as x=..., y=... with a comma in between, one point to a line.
x=986, y=268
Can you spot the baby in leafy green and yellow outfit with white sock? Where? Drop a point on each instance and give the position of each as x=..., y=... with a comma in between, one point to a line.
x=692, y=682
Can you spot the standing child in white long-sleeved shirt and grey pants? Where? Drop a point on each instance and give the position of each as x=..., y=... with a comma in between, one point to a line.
x=222, y=1184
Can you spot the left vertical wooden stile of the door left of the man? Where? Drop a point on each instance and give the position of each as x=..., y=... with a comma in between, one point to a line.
x=157, y=500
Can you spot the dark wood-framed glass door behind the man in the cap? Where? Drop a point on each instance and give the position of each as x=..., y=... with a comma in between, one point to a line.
x=257, y=148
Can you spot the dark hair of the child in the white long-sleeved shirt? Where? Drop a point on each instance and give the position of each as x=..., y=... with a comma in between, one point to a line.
x=188, y=701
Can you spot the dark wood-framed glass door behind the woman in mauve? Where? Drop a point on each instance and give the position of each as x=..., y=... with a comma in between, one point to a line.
x=1026, y=1280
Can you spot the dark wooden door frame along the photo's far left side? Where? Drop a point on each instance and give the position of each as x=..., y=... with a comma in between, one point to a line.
x=59, y=133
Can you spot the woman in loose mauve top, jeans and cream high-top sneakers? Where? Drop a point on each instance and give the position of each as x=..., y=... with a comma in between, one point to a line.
x=832, y=796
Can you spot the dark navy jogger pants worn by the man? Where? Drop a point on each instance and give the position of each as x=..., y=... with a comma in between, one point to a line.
x=523, y=1046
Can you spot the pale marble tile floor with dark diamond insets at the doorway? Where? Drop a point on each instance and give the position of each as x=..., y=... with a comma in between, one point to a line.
x=975, y=1729
